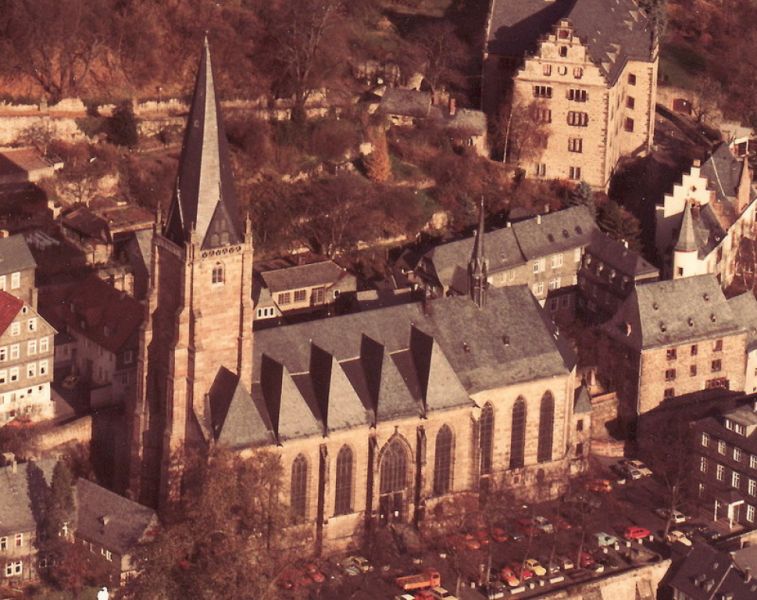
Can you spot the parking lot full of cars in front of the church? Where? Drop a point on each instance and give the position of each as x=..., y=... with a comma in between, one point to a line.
x=587, y=529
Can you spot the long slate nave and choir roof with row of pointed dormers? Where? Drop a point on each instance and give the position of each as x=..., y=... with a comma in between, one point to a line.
x=326, y=375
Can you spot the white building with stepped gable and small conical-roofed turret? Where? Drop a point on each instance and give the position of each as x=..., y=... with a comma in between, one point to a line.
x=701, y=223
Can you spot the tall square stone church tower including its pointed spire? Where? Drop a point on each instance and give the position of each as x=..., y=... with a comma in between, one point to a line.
x=199, y=313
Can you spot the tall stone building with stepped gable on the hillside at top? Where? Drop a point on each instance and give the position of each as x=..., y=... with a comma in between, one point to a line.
x=585, y=70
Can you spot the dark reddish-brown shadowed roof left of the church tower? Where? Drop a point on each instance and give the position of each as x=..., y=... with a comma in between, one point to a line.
x=103, y=314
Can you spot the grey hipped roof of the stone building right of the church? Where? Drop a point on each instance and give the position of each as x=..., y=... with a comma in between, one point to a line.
x=674, y=311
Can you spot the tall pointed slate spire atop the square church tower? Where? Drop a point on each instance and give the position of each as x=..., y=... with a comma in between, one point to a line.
x=204, y=199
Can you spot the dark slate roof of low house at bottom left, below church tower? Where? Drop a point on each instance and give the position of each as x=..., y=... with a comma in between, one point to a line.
x=110, y=520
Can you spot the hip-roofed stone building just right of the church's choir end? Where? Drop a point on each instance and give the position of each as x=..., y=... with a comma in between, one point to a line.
x=672, y=338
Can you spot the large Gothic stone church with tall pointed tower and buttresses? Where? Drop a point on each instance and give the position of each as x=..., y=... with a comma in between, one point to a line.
x=378, y=415
